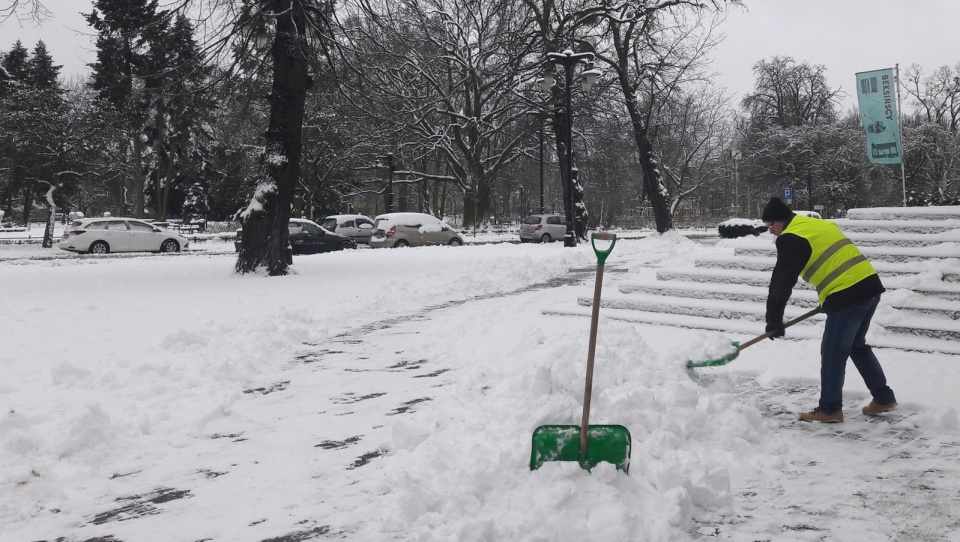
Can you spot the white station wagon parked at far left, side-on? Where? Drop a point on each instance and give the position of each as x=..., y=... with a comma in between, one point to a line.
x=105, y=235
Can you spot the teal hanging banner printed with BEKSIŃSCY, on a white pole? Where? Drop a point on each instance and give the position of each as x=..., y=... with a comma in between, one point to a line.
x=877, y=95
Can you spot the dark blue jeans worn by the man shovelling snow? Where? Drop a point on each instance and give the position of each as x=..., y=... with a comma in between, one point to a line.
x=844, y=336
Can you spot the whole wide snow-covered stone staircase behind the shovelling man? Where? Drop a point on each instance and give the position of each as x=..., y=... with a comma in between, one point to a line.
x=916, y=251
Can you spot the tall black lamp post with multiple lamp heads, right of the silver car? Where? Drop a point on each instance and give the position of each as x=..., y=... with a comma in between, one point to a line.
x=568, y=59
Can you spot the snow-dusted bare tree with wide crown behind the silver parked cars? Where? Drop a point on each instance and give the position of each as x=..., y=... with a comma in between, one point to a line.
x=441, y=78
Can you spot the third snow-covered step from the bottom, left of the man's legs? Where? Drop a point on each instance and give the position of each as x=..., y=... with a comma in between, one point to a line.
x=708, y=291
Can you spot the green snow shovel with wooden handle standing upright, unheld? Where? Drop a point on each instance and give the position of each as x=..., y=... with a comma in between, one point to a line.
x=586, y=444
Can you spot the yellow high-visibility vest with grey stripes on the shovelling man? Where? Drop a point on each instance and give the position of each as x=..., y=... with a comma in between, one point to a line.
x=835, y=262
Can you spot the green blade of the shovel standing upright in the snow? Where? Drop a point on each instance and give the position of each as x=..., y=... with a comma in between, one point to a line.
x=605, y=443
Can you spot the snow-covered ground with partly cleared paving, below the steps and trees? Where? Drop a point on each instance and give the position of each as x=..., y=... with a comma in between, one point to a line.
x=392, y=394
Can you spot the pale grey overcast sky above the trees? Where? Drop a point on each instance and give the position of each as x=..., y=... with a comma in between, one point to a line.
x=847, y=36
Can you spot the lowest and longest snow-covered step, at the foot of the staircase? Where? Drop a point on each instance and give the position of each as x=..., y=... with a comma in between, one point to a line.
x=743, y=330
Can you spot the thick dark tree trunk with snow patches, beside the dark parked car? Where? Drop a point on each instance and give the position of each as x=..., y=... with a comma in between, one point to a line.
x=264, y=239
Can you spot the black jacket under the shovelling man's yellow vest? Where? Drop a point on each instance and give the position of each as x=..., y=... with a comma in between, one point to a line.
x=793, y=252
